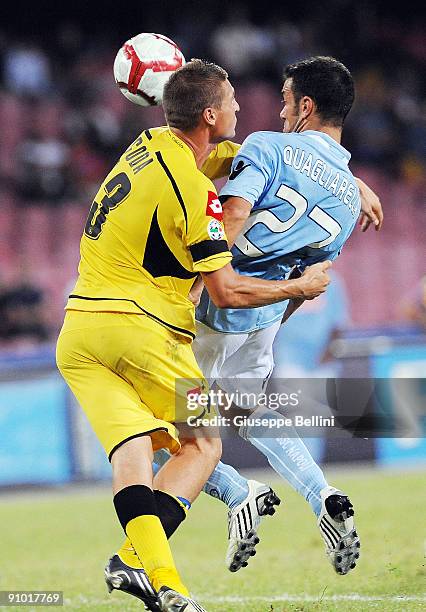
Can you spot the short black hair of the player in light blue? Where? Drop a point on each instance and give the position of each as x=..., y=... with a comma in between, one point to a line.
x=328, y=82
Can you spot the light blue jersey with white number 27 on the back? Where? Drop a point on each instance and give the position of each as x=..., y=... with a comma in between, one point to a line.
x=305, y=205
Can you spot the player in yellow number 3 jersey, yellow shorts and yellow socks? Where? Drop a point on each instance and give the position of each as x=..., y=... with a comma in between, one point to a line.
x=155, y=224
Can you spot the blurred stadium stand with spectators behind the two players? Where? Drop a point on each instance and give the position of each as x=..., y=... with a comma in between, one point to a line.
x=63, y=123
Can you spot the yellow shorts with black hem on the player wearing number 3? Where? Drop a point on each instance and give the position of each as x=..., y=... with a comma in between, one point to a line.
x=122, y=368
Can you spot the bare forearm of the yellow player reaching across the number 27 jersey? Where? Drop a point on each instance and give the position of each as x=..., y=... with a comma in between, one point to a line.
x=228, y=289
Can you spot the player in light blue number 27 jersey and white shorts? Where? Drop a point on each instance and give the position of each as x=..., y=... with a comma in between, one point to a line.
x=290, y=201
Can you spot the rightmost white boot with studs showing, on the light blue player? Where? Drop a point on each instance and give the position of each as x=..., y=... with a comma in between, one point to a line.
x=337, y=529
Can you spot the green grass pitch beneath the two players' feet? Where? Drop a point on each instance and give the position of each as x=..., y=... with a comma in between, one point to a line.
x=62, y=540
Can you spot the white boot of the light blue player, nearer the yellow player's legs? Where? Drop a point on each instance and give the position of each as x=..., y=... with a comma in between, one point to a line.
x=243, y=522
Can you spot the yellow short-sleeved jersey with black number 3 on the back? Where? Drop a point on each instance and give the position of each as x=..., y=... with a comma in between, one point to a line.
x=155, y=223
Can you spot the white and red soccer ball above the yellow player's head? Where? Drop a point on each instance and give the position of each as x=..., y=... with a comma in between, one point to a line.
x=143, y=66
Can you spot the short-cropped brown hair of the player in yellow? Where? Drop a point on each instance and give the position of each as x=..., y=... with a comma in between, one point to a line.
x=190, y=90
